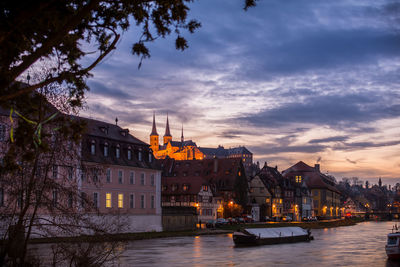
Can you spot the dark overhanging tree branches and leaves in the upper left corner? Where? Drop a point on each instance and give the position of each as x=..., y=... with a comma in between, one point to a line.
x=62, y=31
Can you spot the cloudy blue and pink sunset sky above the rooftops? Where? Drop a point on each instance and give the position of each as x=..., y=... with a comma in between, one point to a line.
x=309, y=80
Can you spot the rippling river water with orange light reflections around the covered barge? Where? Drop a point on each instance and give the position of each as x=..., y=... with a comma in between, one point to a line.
x=359, y=245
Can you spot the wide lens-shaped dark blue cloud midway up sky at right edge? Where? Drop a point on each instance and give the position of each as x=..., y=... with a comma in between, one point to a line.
x=337, y=111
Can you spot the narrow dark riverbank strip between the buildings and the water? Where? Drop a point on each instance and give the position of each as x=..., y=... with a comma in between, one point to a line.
x=224, y=230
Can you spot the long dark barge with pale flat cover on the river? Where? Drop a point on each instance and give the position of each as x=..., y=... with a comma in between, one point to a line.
x=269, y=236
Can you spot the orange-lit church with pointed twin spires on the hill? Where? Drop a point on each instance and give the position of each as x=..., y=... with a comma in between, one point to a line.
x=183, y=150
